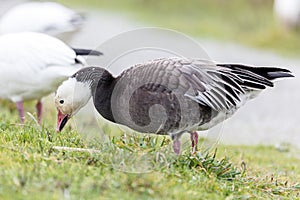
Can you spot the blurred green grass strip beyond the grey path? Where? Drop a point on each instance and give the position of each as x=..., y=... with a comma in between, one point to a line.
x=249, y=22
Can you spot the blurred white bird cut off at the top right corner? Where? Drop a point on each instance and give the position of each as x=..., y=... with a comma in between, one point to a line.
x=288, y=12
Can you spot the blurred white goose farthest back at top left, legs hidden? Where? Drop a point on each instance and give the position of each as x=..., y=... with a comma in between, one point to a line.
x=44, y=17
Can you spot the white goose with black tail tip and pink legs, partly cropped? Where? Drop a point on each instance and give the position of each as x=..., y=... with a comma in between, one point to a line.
x=32, y=65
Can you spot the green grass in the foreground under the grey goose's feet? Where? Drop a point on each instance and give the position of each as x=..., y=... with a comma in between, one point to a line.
x=31, y=167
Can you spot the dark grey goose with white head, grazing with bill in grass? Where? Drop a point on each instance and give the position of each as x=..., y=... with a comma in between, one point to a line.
x=166, y=96
